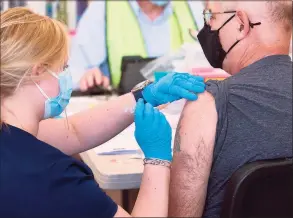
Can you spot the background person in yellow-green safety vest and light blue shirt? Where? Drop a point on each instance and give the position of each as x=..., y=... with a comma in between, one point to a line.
x=109, y=30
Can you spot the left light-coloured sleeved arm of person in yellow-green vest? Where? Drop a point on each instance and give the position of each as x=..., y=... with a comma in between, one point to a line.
x=88, y=48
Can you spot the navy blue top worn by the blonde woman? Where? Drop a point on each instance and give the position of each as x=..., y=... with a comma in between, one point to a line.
x=39, y=181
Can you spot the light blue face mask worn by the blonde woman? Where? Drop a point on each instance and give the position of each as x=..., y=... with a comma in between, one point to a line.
x=55, y=106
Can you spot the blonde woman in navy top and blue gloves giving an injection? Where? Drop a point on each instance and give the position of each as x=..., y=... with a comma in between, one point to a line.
x=38, y=178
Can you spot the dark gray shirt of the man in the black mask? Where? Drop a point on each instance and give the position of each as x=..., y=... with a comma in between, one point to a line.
x=254, y=121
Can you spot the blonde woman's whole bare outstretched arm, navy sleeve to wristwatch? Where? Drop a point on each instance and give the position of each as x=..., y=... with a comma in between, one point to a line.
x=88, y=128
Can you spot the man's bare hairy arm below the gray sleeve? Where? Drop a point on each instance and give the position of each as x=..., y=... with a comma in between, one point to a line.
x=192, y=160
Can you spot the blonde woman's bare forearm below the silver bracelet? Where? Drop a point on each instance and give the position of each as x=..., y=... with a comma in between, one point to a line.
x=152, y=200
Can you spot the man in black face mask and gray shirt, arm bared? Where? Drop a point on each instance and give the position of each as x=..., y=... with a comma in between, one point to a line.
x=244, y=118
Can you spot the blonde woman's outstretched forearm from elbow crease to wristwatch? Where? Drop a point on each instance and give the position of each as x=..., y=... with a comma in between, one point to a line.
x=98, y=125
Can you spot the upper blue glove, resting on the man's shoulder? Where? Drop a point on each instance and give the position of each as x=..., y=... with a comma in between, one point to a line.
x=172, y=87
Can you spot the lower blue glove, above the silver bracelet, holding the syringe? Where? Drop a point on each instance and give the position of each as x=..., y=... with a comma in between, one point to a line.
x=152, y=132
